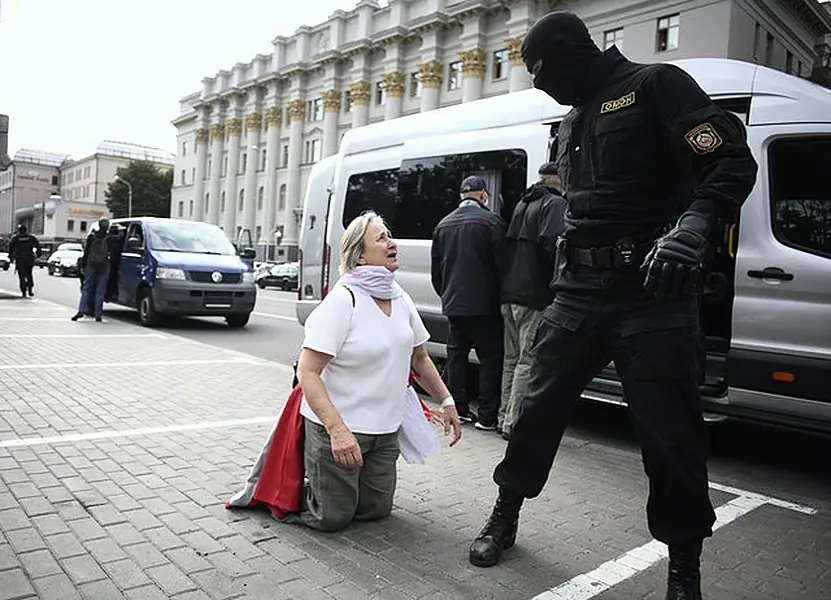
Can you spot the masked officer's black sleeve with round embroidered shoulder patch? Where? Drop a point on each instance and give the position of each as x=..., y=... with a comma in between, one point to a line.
x=711, y=142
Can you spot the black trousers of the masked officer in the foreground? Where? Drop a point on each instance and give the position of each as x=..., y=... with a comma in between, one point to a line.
x=603, y=315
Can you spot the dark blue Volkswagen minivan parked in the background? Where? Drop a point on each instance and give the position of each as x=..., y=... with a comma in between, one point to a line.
x=173, y=267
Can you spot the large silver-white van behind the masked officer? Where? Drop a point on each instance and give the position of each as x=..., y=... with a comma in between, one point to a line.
x=767, y=308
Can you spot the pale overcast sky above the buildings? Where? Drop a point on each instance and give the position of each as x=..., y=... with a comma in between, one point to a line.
x=76, y=72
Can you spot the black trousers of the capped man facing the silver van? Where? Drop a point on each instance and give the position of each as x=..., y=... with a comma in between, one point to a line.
x=485, y=334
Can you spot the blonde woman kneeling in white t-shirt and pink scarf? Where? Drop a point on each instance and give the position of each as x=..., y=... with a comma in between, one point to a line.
x=360, y=344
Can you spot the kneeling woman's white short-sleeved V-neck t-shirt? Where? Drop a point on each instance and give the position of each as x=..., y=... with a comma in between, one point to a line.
x=368, y=374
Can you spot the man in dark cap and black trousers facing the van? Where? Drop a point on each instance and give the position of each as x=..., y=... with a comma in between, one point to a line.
x=465, y=274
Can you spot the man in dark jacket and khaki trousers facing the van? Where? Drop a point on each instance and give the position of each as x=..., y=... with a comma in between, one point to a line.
x=528, y=257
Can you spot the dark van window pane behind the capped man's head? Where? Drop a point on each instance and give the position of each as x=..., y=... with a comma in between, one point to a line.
x=428, y=188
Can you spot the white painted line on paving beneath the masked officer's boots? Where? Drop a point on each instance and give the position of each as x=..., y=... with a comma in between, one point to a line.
x=626, y=566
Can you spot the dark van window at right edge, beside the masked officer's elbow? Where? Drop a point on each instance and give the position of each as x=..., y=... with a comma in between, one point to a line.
x=800, y=193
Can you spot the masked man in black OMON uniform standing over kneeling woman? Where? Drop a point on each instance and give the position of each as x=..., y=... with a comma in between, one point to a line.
x=652, y=170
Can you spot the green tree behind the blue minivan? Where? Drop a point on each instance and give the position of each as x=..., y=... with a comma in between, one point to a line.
x=151, y=190
